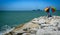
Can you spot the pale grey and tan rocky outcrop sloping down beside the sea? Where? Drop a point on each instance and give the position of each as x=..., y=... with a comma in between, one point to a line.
x=38, y=26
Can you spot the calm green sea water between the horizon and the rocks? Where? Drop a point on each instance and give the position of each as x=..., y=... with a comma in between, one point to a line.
x=16, y=18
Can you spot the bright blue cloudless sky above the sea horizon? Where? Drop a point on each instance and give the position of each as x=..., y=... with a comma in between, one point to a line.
x=28, y=4
